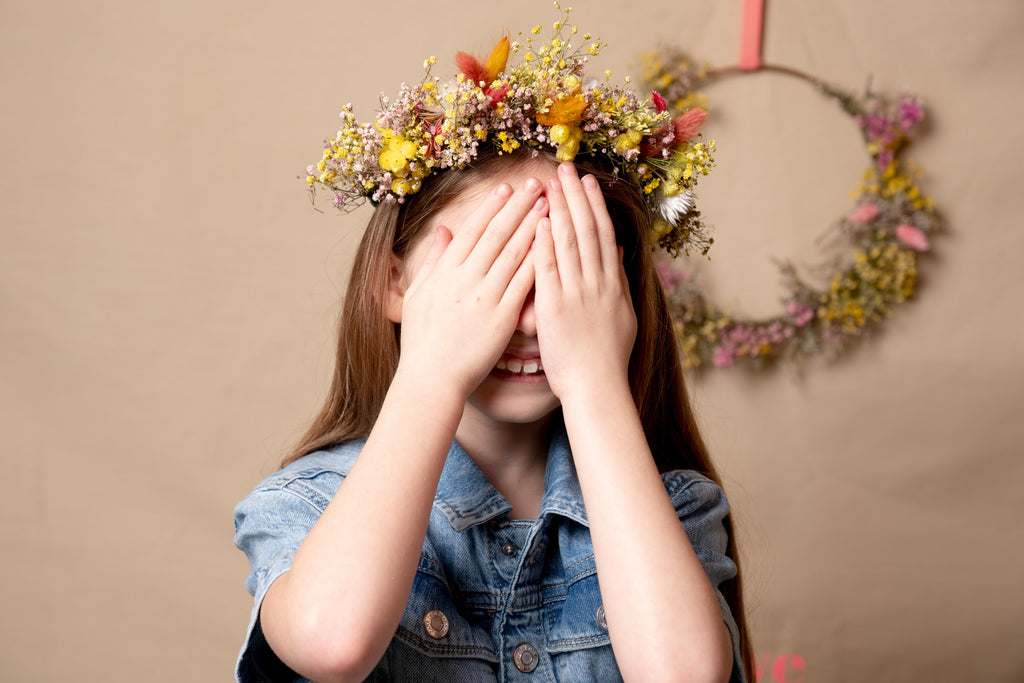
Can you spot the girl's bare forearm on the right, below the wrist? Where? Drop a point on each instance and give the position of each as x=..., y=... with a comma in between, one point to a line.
x=663, y=614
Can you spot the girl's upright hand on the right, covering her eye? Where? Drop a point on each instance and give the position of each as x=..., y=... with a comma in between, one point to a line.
x=585, y=319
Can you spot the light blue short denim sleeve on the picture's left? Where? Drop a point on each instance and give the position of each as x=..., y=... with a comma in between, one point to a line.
x=271, y=524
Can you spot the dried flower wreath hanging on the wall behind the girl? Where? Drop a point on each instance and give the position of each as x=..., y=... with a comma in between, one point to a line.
x=886, y=231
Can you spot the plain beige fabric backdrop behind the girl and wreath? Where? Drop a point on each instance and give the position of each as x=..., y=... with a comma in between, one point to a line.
x=168, y=303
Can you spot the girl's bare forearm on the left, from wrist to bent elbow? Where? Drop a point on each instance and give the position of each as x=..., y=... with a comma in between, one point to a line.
x=334, y=613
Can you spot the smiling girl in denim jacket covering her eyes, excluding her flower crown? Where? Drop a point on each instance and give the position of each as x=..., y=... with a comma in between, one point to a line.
x=521, y=492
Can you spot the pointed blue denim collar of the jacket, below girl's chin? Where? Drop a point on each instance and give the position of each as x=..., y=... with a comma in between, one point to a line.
x=466, y=498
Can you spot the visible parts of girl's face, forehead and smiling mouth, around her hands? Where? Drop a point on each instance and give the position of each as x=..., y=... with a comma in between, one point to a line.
x=516, y=392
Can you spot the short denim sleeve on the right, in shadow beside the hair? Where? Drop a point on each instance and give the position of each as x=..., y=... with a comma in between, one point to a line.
x=702, y=507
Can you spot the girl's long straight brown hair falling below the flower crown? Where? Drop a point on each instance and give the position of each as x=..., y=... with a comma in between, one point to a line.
x=368, y=341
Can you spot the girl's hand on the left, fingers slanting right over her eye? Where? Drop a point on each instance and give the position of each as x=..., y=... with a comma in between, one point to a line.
x=461, y=309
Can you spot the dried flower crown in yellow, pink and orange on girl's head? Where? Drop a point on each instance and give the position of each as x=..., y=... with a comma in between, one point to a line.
x=542, y=103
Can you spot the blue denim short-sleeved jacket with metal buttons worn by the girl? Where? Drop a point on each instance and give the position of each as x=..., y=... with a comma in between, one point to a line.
x=545, y=593
